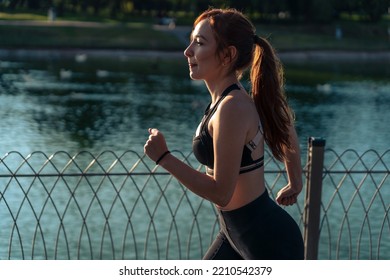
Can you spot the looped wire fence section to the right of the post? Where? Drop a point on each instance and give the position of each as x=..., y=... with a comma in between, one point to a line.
x=355, y=206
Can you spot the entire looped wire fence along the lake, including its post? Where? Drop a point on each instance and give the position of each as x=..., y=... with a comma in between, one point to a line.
x=113, y=206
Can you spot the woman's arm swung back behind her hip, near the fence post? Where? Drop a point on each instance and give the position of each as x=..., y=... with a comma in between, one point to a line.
x=288, y=195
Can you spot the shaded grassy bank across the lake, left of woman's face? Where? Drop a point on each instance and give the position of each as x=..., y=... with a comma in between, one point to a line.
x=131, y=36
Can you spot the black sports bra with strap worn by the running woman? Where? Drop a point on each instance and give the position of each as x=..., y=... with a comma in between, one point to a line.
x=202, y=143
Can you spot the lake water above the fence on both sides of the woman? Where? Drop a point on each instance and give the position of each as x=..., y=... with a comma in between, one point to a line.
x=79, y=103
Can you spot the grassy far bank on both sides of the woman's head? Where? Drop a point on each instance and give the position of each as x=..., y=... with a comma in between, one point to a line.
x=356, y=36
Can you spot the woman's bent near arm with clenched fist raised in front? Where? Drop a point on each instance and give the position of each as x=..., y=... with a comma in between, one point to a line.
x=229, y=137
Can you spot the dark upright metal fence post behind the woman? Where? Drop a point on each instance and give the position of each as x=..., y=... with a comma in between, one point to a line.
x=312, y=207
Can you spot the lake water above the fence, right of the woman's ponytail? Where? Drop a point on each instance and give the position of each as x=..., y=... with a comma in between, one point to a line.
x=344, y=103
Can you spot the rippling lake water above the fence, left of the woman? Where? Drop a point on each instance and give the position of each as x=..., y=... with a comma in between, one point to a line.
x=85, y=107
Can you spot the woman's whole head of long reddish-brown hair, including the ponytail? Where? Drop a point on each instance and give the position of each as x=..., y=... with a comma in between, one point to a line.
x=232, y=28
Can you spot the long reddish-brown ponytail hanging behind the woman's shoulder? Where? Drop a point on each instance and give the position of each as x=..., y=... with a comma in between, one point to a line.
x=268, y=94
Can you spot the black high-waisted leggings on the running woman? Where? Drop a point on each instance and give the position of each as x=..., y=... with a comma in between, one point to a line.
x=258, y=230
